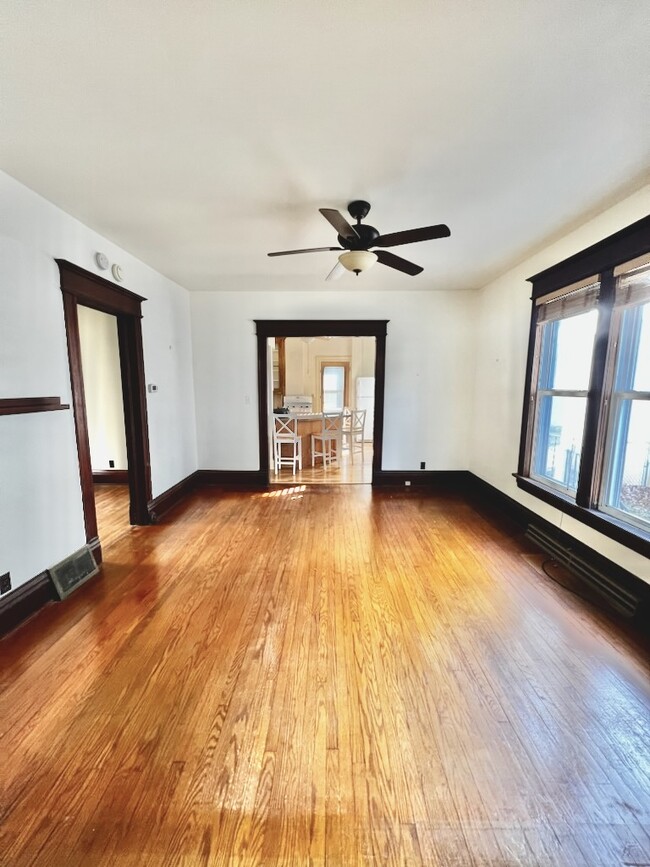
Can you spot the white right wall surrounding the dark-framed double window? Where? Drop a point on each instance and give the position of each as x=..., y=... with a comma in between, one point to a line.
x=503, y=310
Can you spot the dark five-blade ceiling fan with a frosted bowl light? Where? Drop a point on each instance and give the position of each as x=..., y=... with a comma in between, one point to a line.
x=356, y=241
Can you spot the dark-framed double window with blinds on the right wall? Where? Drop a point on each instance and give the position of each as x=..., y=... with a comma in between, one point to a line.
x=585, y=443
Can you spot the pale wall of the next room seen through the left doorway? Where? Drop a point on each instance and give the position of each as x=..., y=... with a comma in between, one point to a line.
x=100, y=357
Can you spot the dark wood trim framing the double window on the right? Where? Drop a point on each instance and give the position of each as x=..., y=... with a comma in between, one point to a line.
x=599, y=259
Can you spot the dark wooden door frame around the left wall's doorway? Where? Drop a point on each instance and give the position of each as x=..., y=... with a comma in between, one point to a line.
x=83, y=288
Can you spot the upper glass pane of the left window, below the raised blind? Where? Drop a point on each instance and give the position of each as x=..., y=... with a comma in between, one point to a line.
x=566, y=352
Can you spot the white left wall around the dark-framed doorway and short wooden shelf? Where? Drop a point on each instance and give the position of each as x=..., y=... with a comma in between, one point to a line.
x=41, y=519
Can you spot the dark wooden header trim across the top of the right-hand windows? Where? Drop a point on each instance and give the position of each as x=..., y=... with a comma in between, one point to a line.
x=630, y=242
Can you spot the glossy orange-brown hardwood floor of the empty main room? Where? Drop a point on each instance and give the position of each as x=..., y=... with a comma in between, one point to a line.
x=323, y=676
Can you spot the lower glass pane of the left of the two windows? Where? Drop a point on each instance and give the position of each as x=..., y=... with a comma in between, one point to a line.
x=558, y=439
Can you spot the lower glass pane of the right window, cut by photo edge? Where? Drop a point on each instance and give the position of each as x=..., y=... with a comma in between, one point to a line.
x=629, y=465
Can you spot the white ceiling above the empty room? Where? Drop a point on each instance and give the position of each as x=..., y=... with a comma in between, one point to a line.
x=201, y=135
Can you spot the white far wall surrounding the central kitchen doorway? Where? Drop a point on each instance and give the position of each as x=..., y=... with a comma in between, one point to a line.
x=428, y=370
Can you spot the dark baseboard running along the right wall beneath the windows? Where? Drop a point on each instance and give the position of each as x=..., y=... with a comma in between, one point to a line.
x=488, y=497
